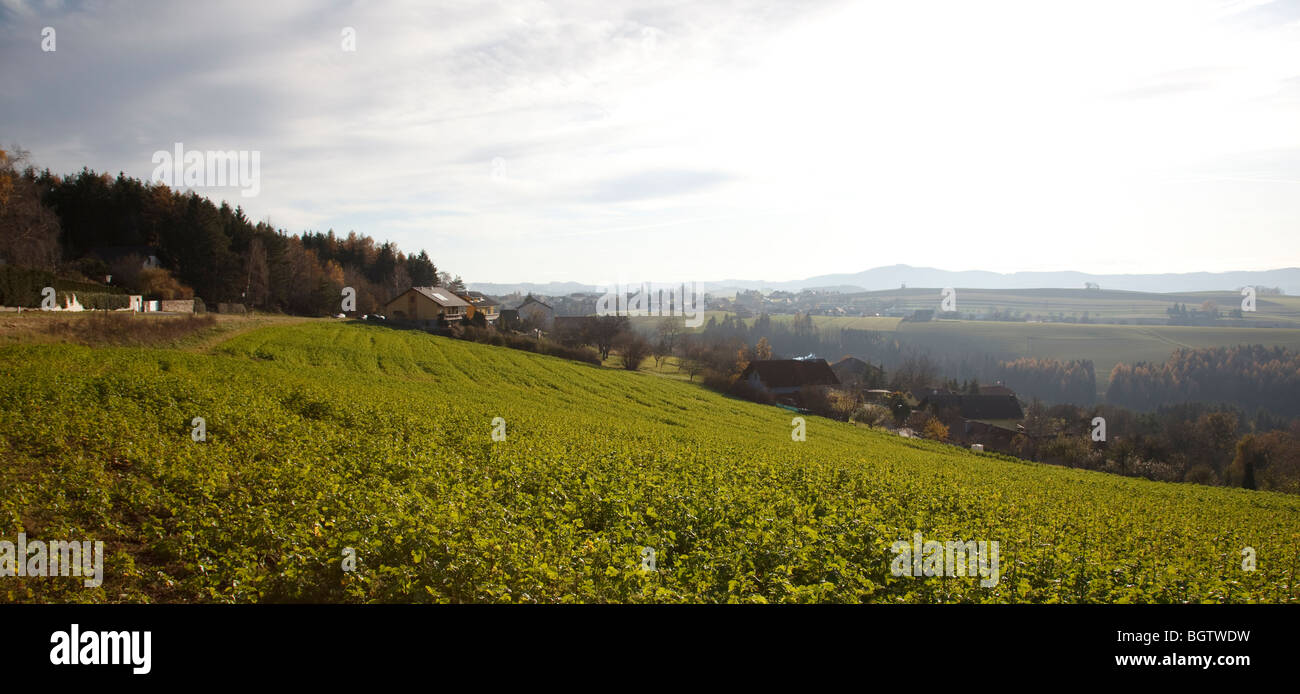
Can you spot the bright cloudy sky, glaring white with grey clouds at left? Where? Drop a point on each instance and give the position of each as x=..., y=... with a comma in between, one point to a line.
x=700, y=141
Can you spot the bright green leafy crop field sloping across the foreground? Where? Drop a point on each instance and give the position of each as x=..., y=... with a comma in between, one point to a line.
x=324, y=436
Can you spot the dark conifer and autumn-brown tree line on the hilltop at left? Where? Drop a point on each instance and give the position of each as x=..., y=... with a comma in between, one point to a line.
x=89, y=227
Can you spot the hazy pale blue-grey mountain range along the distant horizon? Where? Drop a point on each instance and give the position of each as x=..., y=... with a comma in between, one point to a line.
x=896, y=276
